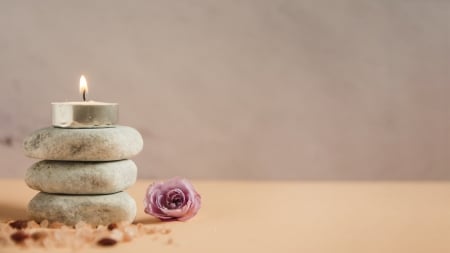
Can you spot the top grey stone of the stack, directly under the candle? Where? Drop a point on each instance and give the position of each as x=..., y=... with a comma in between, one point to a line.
x=92, y=144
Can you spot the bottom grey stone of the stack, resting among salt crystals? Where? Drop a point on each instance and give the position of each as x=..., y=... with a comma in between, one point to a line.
x=92, y=209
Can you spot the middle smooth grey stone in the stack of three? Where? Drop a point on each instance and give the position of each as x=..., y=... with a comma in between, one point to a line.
x=81, y=177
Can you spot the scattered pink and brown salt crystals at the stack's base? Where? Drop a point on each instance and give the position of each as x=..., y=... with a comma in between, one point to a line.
x=47, y=234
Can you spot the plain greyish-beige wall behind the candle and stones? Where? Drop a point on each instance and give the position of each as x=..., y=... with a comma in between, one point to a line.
x=241, y=89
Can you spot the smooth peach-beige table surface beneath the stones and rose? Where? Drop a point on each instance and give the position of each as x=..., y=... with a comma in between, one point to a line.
x=248, y=216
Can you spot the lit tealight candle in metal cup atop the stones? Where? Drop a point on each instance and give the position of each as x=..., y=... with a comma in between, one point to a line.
x=84, y=114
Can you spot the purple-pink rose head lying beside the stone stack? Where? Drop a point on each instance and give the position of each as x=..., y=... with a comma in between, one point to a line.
x=174, y=199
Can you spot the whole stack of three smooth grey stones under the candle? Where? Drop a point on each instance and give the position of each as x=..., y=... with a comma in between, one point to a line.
x=83, y=174
